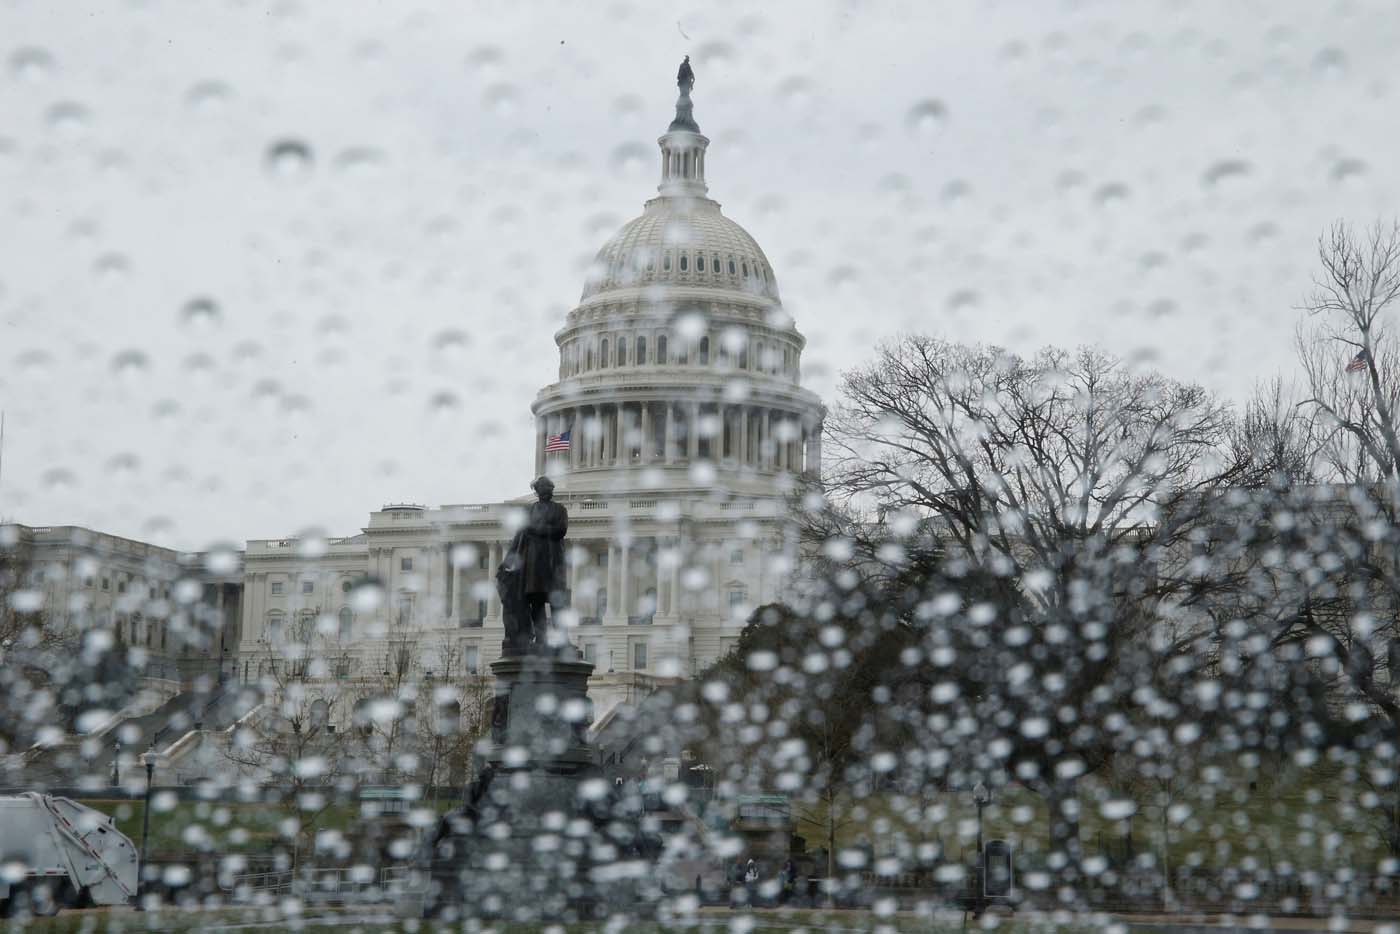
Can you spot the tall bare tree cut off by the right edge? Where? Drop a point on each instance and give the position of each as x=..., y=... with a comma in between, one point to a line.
x=1350, y=354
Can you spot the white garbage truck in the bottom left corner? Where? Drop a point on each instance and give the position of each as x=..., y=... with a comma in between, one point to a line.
x=57, y=853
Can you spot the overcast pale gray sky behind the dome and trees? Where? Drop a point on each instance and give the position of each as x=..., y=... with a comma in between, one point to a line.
x=384, y=211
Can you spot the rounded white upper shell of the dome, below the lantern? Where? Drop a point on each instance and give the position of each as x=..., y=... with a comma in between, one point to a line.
x=682, y=242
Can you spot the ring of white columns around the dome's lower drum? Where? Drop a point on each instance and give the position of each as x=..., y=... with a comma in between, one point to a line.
x=643, y=433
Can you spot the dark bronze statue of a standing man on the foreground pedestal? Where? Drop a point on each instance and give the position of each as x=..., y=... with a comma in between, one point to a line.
x=531, y=578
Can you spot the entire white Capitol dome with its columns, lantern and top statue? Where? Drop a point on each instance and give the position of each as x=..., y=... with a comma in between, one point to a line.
x=678, y=369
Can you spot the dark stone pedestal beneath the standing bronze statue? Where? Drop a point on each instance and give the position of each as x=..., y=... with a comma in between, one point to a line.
x=527, y=842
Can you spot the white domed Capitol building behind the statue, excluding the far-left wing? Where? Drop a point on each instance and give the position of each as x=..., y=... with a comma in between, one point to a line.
x=675, y=432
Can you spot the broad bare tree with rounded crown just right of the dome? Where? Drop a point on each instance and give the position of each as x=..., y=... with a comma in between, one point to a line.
x=1037, y=519
